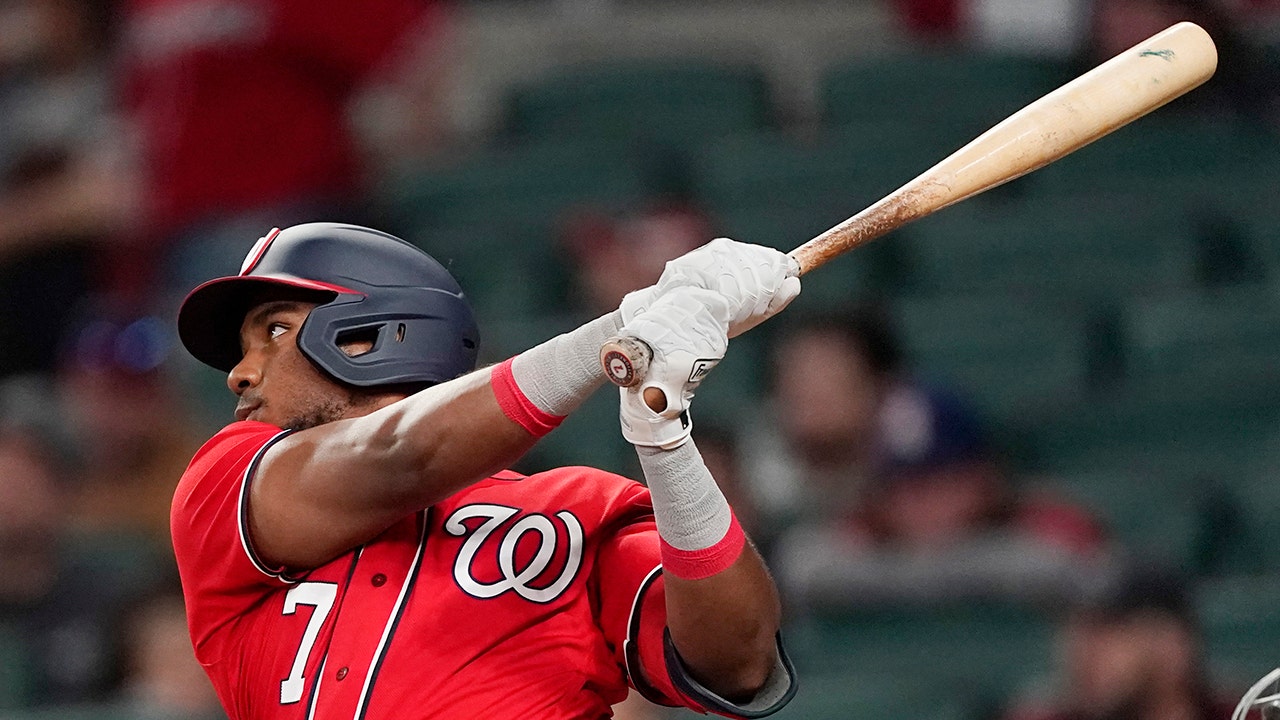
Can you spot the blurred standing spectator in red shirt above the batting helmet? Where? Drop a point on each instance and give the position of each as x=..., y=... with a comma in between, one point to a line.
x=244, y=113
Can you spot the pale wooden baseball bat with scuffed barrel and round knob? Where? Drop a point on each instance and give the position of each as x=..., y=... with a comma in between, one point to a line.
x=1092, y=106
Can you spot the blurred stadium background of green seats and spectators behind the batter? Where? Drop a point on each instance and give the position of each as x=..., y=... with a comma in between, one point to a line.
x=1018, y=461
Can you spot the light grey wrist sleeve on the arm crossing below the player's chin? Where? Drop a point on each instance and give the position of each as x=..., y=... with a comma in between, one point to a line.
x=559, y=375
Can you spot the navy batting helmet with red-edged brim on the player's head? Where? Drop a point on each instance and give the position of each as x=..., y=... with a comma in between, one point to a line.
x=369, y=285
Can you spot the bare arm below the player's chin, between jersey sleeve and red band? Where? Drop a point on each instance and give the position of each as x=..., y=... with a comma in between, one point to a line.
x=327, y=490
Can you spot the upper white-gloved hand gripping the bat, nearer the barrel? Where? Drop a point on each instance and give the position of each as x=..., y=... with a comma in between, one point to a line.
x=757, y=282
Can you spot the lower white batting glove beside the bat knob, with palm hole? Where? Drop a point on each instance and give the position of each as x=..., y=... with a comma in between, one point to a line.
x=687, y=334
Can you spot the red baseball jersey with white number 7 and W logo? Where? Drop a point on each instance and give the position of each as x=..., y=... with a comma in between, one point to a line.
x=518, y=598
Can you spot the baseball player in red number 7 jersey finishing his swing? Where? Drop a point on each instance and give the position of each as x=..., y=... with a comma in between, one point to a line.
x=354, y=548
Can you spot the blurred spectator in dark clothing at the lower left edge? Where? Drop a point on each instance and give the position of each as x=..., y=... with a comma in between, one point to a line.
x=61, y=600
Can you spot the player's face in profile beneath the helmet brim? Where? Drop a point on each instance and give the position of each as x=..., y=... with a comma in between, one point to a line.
x=276, y=384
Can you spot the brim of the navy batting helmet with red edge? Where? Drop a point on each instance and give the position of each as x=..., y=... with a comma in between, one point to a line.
x=211, y=318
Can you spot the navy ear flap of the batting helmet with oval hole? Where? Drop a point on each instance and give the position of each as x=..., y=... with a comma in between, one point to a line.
x=414, y=335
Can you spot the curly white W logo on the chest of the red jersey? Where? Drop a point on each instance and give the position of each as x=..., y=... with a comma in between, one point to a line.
x=502, y=576
